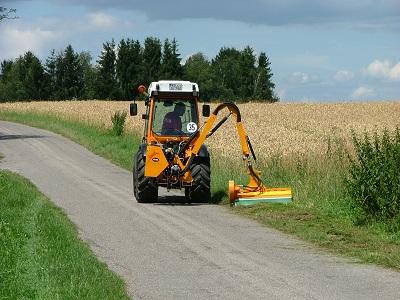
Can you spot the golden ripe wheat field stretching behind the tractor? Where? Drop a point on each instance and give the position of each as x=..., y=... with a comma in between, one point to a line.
x=277, y=128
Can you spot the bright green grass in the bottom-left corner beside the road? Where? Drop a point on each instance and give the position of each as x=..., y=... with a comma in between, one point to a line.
x=41, y=254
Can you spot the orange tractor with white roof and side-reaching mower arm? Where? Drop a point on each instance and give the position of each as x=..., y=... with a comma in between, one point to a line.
x=173, y=154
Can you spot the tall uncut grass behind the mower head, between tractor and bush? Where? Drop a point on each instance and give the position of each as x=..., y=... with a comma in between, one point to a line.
x=317, y=180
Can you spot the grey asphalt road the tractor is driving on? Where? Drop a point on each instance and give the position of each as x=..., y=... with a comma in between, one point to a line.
x=177, y=251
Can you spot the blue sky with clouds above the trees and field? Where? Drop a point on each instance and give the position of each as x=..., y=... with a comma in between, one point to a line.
x=319, y=50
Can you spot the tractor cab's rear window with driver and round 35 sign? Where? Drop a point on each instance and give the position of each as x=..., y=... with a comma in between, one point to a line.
x=175, y=117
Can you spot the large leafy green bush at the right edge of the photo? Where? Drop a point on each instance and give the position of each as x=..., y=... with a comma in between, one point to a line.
x=374, y=177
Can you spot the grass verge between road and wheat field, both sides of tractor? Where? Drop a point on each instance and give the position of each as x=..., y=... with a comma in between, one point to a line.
x=321, y=212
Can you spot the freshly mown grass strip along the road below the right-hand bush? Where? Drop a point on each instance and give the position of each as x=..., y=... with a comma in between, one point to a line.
x=371, y=243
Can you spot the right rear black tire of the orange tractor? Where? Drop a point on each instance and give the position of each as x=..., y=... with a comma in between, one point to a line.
x=200, y=190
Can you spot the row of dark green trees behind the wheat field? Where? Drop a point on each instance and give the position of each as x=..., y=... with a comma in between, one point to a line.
x=232, y=74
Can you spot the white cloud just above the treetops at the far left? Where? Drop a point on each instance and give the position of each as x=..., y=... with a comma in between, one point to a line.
x=17, y=41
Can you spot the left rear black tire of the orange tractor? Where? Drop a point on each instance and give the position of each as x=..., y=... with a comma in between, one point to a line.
x=144, y=189
